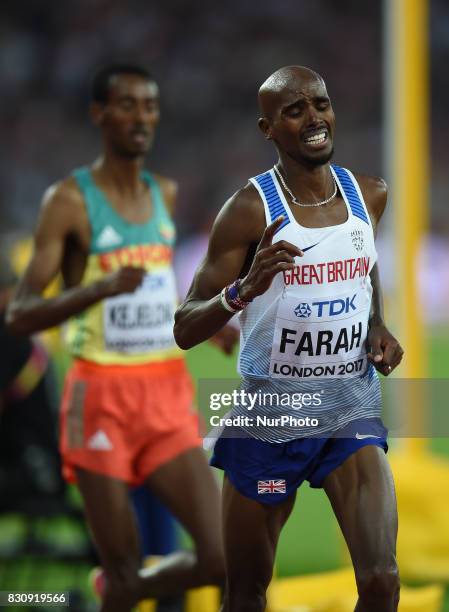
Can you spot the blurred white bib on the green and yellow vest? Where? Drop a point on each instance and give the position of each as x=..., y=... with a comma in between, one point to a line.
x=142, y=322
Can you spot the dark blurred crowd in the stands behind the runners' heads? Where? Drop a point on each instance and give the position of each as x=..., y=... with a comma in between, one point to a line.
x=209, y=59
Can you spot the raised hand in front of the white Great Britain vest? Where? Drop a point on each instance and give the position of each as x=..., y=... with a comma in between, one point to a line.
x=269, y=259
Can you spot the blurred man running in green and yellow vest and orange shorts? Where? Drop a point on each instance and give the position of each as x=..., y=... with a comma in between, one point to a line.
x=126, y=411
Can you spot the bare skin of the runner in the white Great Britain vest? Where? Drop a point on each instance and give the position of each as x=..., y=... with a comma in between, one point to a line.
x=295, y=106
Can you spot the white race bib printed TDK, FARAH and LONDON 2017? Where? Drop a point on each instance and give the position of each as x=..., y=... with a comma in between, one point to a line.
x=320, y=338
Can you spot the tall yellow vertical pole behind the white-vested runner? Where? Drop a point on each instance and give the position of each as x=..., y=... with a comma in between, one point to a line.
x=409, y=124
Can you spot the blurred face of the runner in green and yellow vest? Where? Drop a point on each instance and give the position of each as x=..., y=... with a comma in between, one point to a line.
x=131, y=114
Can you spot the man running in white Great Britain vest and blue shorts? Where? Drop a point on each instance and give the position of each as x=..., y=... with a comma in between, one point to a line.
x=299, y=239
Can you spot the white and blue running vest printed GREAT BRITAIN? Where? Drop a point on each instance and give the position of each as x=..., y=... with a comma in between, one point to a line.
x=308, y=332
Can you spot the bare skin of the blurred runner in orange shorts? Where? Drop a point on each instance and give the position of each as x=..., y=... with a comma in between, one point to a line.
x=127, y=122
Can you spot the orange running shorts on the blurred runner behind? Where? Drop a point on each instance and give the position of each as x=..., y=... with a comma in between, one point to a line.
x=126, y=421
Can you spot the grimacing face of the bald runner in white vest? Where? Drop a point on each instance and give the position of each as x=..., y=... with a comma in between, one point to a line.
x=303, y=122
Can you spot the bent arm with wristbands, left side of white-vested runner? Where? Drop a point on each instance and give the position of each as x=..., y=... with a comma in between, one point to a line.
x=239, y=224
